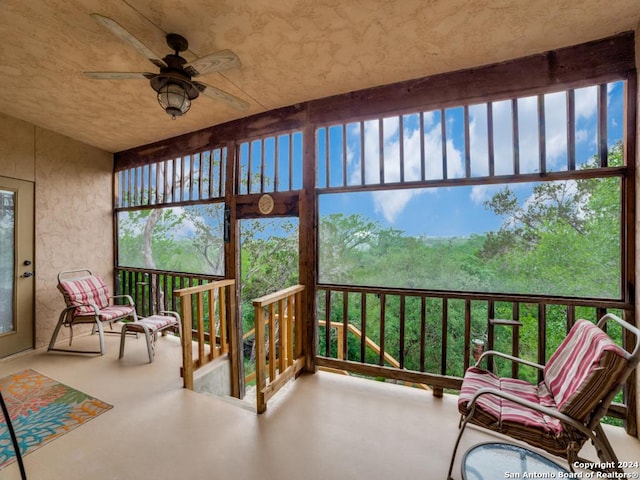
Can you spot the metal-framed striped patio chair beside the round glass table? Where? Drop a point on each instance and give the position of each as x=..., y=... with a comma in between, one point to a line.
x=563, y=411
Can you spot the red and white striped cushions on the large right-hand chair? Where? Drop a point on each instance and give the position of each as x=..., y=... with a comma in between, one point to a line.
x=586, y=366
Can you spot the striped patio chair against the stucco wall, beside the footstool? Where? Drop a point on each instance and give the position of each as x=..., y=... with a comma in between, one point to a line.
x=88, y=301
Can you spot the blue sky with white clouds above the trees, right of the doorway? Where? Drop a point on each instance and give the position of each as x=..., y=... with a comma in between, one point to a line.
x=457, y=211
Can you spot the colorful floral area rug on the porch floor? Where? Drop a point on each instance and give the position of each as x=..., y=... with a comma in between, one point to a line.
x=41, y=410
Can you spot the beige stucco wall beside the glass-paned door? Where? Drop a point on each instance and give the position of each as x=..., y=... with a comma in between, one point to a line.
x=73, y=220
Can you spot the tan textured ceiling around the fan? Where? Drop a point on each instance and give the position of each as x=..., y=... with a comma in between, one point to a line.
x=291, y=51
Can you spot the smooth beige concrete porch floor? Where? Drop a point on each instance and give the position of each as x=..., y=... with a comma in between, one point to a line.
x=325, y=426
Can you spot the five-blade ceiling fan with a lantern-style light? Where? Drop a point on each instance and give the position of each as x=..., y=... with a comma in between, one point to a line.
x=174, y=84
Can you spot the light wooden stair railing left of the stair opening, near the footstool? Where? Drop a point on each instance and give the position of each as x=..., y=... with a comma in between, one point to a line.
x=208, y=311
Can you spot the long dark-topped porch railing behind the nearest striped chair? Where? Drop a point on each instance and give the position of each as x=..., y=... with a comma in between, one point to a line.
x=432, y=335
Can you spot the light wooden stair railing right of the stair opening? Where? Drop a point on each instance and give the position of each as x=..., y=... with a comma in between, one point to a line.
x=278, y=336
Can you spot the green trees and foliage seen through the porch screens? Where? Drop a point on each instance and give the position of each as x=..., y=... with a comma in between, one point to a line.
x=562, y=240
